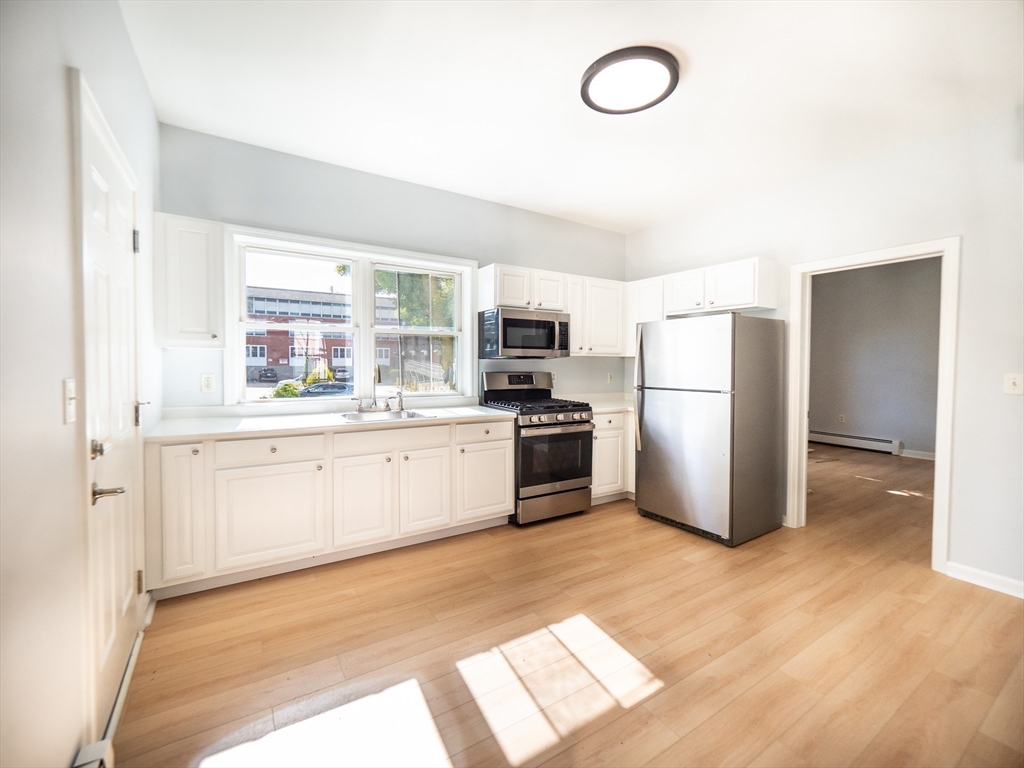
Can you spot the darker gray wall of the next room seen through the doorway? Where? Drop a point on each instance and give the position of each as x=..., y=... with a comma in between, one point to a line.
x=875, y=353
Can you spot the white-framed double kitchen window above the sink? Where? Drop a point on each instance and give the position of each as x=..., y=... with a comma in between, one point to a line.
x=313, y=311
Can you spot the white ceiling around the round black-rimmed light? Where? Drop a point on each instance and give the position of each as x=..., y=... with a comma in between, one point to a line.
x=483, y=99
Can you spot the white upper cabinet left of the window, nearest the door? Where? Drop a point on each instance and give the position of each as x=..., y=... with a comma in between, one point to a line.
x=189, y=276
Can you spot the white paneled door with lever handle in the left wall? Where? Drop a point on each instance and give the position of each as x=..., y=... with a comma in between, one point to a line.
x=108, y=211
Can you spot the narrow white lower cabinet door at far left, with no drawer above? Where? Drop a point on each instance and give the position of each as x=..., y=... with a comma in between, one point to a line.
x=184, y=511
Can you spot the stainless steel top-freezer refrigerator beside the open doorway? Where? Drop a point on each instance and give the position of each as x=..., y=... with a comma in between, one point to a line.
x=711, y=440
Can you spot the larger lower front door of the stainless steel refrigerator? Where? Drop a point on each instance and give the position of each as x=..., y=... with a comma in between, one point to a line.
x=684, y=468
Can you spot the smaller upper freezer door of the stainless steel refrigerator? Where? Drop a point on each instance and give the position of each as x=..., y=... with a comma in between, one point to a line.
x=688, y=354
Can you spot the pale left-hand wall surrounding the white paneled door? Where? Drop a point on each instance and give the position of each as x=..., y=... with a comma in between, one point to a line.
x=42, y=486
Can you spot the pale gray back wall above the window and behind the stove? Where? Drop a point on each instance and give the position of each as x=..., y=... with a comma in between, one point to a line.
x=215, y=179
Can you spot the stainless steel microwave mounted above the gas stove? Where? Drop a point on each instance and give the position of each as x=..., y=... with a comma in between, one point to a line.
x=506, y=333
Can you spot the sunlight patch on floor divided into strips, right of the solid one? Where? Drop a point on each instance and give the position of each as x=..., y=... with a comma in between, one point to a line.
x=537, y=690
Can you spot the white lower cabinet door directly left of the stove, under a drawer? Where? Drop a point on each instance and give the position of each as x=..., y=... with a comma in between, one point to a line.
x=485, y=474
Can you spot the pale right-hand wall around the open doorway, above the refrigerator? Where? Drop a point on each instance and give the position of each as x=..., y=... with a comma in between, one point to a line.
x=968, y=184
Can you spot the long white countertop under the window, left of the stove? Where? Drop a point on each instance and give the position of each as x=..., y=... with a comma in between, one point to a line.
x=177, y=431
